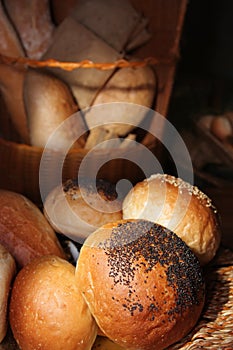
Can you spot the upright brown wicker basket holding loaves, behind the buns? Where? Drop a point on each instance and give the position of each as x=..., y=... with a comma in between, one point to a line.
x=20, y=163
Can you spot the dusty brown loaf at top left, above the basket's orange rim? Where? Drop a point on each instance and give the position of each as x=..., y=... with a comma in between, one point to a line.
x=33, y=23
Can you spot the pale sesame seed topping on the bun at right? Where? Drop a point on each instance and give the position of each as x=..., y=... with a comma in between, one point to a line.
x=183, y=185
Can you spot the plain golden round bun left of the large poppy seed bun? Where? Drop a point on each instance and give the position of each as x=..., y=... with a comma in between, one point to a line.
x=47, y=310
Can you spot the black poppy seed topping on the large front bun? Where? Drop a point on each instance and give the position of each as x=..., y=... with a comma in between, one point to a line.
x=139, y=246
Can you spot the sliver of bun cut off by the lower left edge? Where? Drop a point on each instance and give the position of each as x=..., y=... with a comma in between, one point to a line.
x=7, y=272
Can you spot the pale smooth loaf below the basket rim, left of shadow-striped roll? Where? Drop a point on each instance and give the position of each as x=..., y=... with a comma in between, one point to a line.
x=49, y=102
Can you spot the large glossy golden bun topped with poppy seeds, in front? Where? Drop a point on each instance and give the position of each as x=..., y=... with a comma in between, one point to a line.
x=142, y=283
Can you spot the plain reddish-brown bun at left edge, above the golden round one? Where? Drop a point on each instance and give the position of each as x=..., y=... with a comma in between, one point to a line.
x=24, y=231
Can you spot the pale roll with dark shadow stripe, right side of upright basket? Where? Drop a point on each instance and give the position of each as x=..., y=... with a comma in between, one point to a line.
x=129, y=85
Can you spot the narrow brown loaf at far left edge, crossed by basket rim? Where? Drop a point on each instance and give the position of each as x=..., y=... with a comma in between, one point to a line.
x=12, y=77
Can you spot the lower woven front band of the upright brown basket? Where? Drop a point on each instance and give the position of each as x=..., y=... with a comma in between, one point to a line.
x=20, y=166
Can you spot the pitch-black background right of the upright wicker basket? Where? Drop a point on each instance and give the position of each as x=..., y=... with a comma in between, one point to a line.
x=204, y=76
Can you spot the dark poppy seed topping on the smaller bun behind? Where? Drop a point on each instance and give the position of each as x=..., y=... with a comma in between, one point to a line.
x=104, y=188
